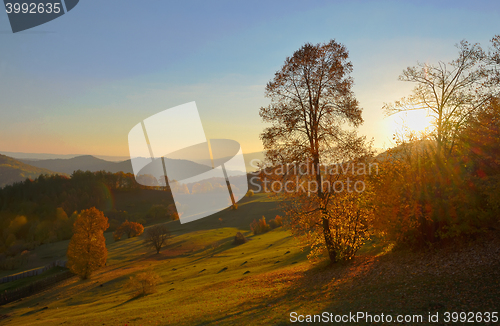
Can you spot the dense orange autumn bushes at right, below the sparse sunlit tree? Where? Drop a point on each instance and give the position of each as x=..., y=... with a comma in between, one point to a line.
x=425, y=197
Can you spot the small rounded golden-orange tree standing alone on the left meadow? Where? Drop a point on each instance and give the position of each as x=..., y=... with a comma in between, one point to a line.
x=87, y=249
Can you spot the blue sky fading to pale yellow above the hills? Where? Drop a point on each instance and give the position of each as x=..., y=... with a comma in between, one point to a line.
x=80, y=83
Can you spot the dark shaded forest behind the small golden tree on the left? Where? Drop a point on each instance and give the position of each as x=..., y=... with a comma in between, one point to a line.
x=43, y=210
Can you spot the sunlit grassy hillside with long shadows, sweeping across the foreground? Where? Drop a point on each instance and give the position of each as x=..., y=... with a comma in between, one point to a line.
x=195, y=291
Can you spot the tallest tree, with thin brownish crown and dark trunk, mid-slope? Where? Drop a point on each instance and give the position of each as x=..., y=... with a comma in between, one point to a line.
x=311, y=101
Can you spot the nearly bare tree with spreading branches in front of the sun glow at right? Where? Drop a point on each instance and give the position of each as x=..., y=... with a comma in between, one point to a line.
x=450, y=93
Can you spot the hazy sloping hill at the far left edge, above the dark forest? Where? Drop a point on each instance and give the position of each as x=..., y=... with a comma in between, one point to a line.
x=12, y=170
